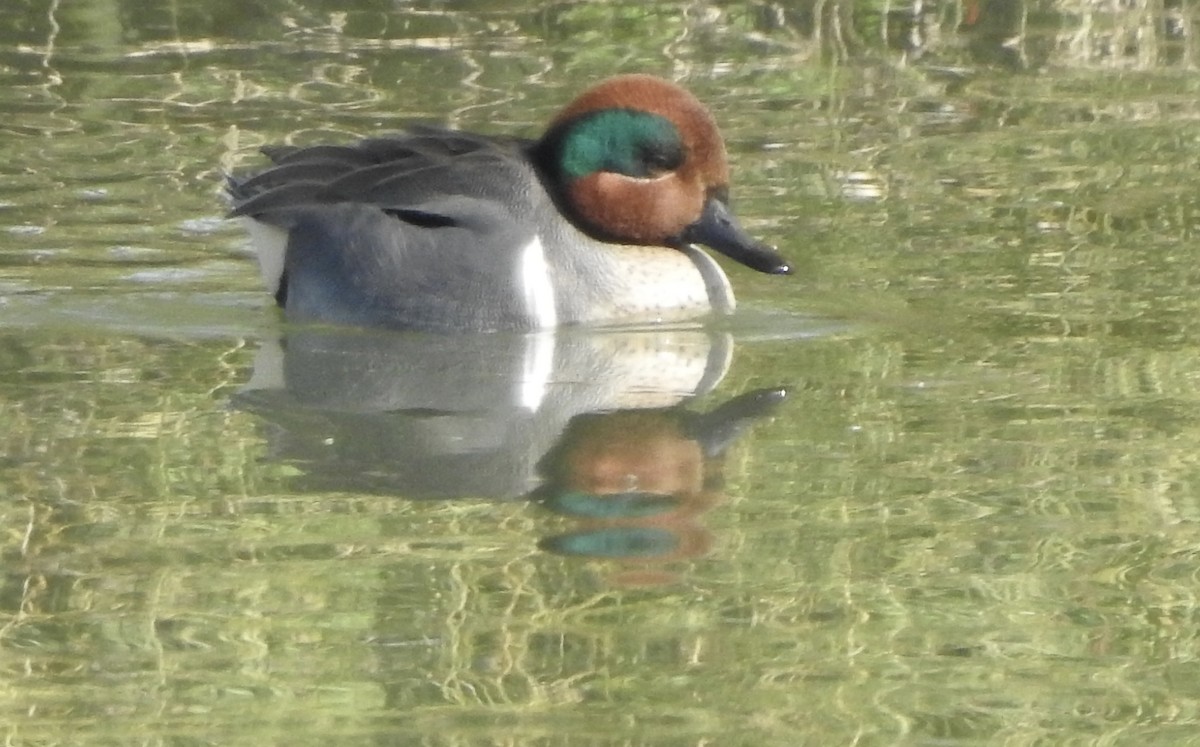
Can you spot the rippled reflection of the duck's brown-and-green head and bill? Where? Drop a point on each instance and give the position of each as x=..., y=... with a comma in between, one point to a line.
x=638, y=481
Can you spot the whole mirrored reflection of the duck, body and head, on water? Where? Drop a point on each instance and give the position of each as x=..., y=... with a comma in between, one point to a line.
x=591, y=425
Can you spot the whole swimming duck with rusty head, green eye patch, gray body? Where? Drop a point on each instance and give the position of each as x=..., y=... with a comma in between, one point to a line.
x=602, y=222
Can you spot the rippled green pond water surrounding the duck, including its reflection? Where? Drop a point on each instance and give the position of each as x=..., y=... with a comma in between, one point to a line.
x=938, y=488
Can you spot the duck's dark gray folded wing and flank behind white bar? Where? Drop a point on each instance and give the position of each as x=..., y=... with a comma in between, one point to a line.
x=415, y=232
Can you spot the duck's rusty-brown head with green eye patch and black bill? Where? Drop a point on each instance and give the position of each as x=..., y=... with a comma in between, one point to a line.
x=639, y=160
